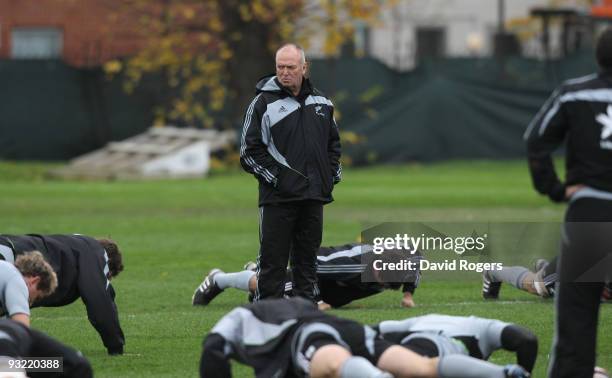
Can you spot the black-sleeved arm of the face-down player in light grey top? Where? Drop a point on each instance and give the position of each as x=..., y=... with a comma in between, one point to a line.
x=522, y=341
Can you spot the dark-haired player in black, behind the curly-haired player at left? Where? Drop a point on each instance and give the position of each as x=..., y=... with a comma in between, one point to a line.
x=84, y=267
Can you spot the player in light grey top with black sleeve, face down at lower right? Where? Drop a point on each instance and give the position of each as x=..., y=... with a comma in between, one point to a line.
x=439, y=335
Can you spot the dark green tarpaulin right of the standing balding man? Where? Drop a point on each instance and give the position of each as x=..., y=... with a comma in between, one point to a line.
x=460, y=108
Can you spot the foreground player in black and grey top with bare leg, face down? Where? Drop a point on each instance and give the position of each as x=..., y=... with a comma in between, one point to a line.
x=291, y=337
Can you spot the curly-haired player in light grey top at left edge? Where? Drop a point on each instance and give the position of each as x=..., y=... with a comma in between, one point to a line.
x=30, y=279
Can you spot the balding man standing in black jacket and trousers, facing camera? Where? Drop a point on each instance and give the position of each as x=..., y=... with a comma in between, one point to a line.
x=290, y=143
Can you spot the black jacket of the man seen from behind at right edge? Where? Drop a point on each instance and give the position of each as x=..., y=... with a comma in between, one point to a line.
x=579, y=111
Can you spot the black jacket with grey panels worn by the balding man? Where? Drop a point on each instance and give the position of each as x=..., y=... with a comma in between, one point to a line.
x=291, y=144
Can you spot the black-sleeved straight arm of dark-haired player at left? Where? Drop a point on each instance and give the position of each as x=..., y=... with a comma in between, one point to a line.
x=99, y=298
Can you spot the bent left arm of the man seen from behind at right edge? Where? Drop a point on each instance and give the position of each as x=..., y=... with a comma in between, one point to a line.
x=544, y=134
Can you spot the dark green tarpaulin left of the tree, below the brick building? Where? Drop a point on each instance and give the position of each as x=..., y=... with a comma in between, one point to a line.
x=49, y=111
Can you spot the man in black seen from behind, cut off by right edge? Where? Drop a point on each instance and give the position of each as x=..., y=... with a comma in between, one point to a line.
x=580, y=114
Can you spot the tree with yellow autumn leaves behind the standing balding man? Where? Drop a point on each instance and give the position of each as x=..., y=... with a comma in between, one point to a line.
x=210, y=53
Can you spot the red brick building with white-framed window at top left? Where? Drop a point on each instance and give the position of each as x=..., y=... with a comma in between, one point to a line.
x=81, y=32
